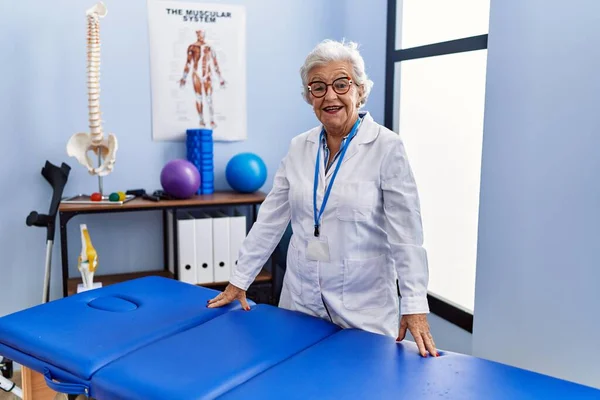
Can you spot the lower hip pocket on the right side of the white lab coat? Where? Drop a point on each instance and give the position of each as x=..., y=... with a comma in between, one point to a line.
x=365, y=283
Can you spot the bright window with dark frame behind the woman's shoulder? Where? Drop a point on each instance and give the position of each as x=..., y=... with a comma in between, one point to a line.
x=435, y=95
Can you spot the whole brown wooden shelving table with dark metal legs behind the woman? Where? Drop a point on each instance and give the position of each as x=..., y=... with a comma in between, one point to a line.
x=67, y=211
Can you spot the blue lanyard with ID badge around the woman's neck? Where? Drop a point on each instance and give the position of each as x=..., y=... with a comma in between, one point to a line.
x=318, y=247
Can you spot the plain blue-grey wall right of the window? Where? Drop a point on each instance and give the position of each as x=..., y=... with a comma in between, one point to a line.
x=537, y=296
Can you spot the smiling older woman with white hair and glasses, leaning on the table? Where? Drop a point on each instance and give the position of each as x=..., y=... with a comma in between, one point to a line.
x=348, y=190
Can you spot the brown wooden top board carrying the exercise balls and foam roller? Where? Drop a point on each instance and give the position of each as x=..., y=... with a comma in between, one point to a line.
x=216, y=199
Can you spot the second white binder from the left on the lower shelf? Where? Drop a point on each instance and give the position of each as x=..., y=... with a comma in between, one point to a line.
x=203, y=247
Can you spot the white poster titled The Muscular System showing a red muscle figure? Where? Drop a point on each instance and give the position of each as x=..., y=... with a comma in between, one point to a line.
x=197, y=69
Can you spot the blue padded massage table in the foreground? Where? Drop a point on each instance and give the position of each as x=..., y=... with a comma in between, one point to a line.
x=154, y=338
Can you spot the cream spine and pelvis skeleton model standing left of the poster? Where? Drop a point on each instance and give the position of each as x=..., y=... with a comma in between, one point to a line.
x=81, y=143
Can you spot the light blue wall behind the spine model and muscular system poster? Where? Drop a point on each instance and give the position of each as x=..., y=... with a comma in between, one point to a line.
x=43, y=102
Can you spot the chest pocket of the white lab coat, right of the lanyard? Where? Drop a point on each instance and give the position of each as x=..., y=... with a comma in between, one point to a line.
x=355, y=200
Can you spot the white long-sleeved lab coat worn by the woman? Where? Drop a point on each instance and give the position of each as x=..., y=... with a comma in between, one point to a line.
x=372, y=224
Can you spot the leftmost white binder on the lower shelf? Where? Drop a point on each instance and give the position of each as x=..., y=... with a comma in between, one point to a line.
x=186, y=238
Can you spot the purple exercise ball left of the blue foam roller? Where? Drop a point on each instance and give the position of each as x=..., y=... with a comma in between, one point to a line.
x=180, y=178
